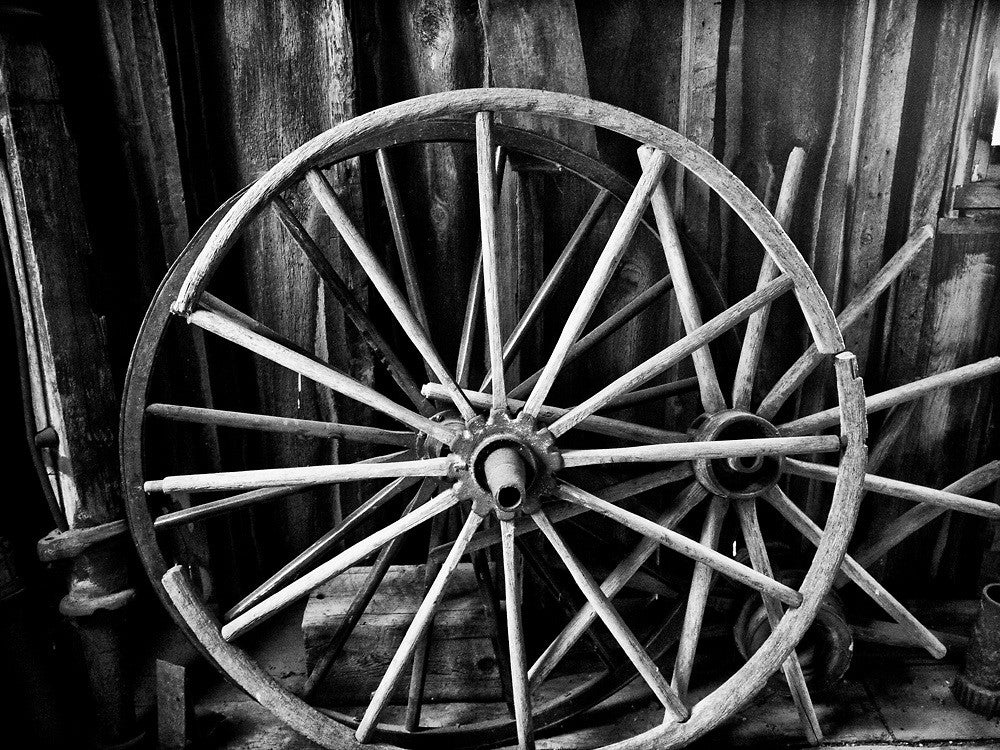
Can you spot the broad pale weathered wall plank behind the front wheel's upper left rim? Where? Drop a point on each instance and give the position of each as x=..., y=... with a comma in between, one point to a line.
x=285, y=71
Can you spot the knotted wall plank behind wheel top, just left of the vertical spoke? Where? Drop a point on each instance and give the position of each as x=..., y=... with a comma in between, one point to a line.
x=417, y=47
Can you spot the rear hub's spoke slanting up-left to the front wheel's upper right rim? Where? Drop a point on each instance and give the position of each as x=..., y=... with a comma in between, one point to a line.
x=687, y=302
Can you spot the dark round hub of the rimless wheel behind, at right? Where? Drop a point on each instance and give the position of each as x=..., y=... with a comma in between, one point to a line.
x=736, y=478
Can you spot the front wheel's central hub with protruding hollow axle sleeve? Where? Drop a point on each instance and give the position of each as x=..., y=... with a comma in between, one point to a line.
x=506, y=464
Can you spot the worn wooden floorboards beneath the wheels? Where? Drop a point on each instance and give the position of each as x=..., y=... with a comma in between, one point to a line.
x=891, y=698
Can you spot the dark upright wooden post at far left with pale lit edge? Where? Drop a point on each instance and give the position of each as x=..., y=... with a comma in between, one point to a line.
x=73, y=393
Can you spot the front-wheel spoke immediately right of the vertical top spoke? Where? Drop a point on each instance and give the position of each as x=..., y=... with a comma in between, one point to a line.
x=605, y=266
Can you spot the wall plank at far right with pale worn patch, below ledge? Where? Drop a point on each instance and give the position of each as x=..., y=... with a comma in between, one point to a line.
x=949, y=433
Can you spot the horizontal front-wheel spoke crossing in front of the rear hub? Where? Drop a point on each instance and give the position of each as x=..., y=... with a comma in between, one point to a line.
x=779, y=446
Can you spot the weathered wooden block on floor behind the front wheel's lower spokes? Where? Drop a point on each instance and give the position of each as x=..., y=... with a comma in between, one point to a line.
x=461, y=663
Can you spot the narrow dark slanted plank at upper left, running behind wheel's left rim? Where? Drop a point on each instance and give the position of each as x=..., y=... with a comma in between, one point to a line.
x=157, y=222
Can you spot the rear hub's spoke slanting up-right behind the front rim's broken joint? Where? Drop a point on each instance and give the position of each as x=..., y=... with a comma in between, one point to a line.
x=798, y=372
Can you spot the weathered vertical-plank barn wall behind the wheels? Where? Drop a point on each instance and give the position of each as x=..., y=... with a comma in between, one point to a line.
x=195, y=99
